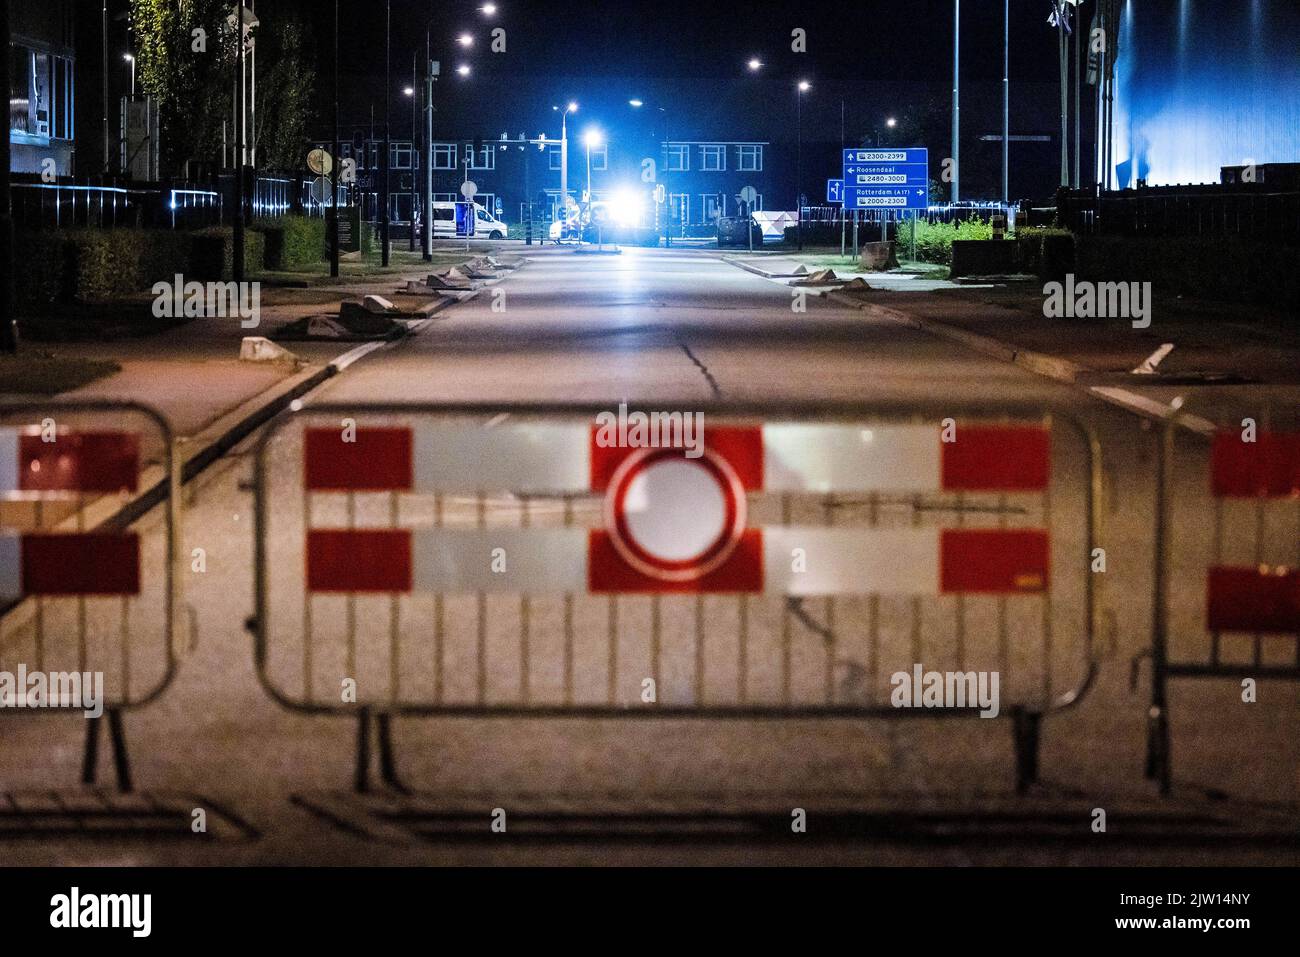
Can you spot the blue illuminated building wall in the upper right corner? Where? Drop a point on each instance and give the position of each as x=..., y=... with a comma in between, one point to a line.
x=1206, y=84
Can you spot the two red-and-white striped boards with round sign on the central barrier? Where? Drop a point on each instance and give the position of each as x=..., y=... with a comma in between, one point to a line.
x=675, y=523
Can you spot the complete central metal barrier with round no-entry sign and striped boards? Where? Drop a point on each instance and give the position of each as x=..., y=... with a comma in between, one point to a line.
x=505, y=561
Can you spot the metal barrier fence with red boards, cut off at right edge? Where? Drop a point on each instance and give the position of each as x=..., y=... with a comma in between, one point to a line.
x=1228, y=557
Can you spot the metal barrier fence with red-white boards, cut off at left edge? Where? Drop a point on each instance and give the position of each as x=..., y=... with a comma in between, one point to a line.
x=83, y=594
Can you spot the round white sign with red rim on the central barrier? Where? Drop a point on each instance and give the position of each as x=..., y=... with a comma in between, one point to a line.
x=716, y=518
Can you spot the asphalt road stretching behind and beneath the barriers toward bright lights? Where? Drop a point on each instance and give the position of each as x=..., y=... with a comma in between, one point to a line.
x=686, y=331
